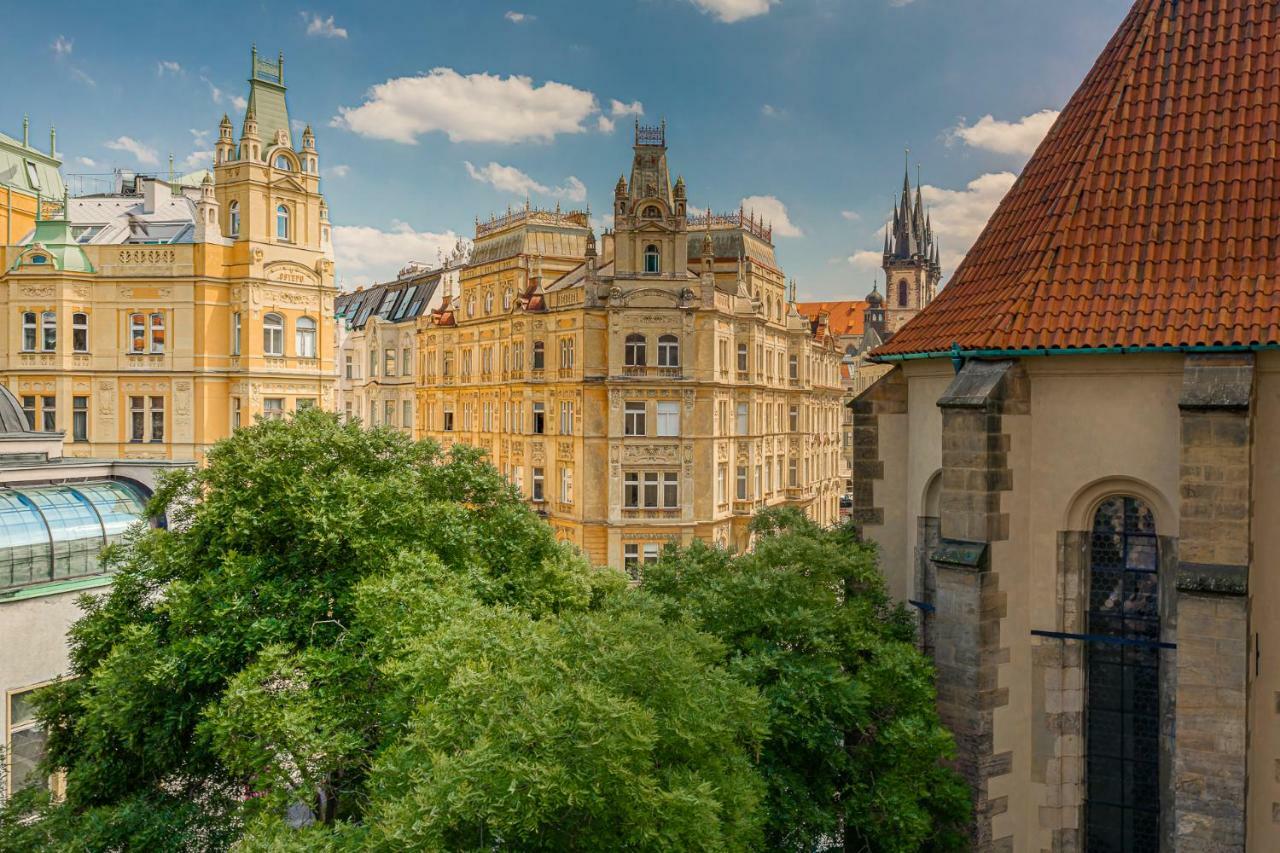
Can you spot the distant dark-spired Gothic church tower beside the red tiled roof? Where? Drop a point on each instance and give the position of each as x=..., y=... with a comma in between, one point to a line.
x=912, y=259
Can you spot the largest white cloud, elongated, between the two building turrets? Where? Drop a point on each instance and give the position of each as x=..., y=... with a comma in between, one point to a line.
x=473, y=108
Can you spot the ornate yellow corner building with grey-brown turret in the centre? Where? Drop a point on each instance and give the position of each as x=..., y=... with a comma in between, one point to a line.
x=652, y=390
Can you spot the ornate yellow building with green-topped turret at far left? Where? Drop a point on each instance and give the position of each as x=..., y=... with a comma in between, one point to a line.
x=149, y=322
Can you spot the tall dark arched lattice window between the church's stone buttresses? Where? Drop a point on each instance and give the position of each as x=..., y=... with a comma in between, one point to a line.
x=1123, y=738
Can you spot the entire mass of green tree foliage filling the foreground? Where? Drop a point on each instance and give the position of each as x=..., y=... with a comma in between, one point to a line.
x=346, y=640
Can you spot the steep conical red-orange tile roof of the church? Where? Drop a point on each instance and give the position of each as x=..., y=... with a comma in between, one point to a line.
x=1150, y=216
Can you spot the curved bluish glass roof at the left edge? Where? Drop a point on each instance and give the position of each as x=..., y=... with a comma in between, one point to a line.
x=58, y=532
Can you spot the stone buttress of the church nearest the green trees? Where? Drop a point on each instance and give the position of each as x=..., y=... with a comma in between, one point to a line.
x=966, y=630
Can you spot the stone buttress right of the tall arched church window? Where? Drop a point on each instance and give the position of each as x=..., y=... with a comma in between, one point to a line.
x=1215, y=481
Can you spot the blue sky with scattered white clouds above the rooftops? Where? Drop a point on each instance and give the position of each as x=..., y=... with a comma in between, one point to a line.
x=803, y=107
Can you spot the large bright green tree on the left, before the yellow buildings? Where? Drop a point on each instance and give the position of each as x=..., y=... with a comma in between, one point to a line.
x=381, y=640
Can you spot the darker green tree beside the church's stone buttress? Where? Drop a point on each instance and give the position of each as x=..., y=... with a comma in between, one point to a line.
x=856, y=751
